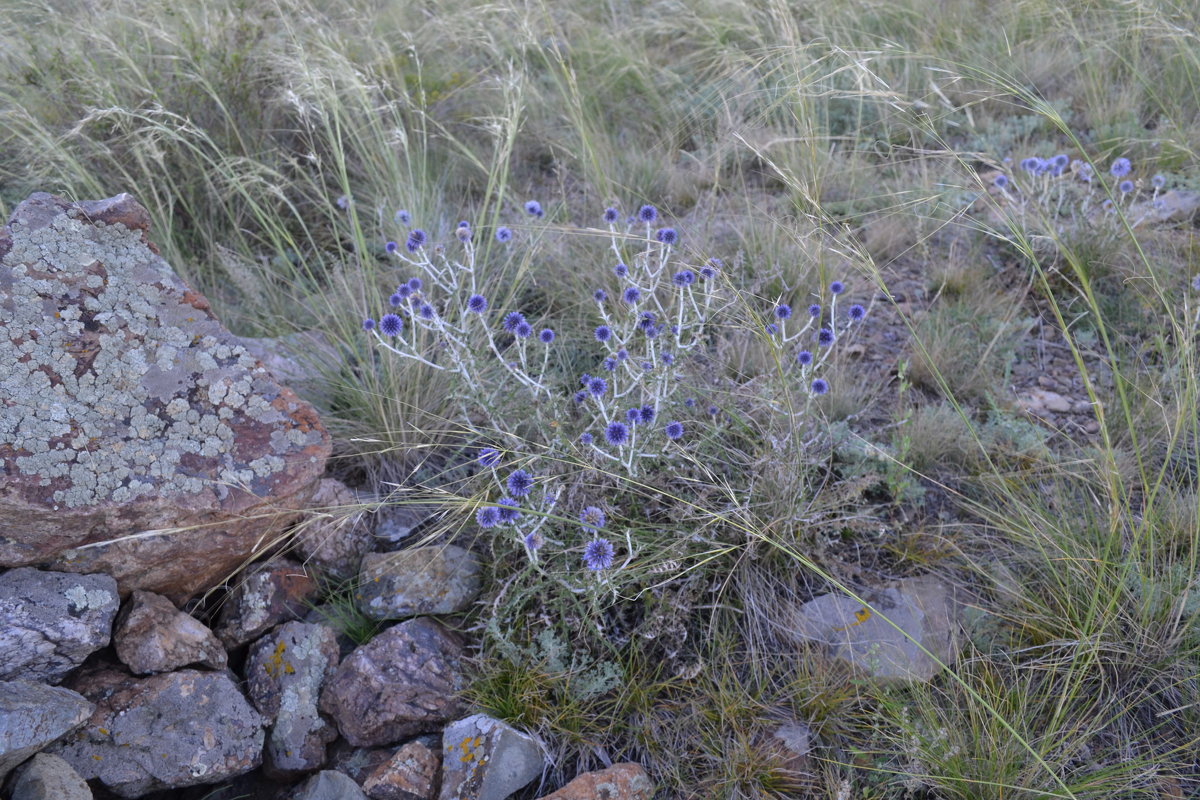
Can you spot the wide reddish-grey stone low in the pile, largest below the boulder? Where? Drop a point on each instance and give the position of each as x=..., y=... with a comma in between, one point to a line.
x=165, y=732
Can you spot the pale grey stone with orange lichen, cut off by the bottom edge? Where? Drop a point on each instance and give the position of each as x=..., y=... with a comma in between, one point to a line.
x=487, y=760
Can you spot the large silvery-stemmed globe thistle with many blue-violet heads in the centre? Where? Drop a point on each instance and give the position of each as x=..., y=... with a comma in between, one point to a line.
x=637, y=414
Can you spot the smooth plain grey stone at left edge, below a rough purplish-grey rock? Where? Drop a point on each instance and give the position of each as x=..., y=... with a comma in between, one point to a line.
x=34, y=717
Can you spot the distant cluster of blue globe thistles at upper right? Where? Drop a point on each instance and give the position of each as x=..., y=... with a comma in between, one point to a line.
x=1073, y=190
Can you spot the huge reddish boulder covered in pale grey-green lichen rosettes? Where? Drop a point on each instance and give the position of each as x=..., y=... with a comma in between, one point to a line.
x=137, y=437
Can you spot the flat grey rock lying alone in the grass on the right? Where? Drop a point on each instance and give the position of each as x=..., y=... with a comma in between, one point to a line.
x=922, y=609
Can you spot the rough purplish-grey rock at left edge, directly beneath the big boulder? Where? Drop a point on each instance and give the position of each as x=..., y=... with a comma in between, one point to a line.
x=51, y=622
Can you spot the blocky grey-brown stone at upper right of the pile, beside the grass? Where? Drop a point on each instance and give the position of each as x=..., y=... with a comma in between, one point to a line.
x=436, y=580
